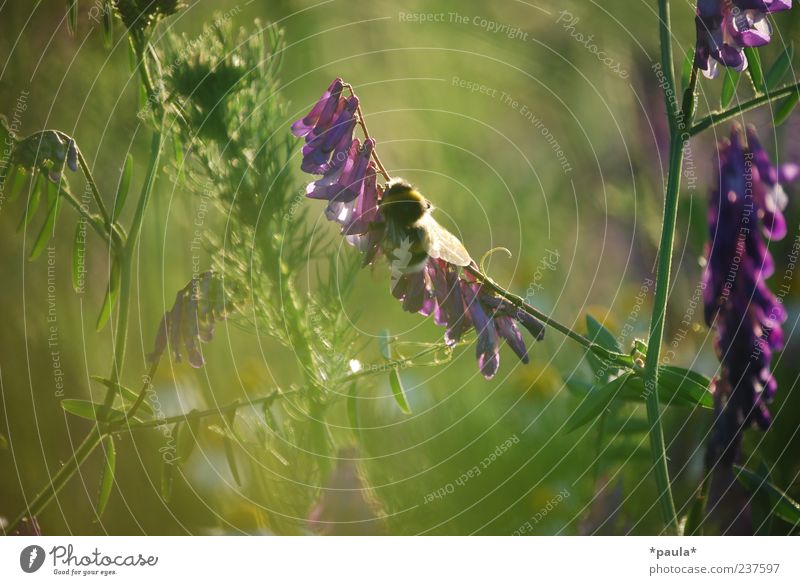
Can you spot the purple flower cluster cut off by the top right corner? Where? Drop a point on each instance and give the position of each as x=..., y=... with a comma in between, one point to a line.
x=726, y=27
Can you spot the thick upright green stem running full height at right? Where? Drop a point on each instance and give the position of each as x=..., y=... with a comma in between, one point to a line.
x=657, y=446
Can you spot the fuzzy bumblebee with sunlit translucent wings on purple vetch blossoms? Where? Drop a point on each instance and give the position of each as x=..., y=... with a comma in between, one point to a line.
x=412, y=235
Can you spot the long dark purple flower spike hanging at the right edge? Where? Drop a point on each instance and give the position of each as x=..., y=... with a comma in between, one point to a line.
x=744, y=212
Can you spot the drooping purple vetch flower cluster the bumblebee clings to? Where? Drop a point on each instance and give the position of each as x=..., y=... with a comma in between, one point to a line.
x=438, y=288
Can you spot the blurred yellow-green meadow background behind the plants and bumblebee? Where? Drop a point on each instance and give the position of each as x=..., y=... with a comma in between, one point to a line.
x=474, y=114
